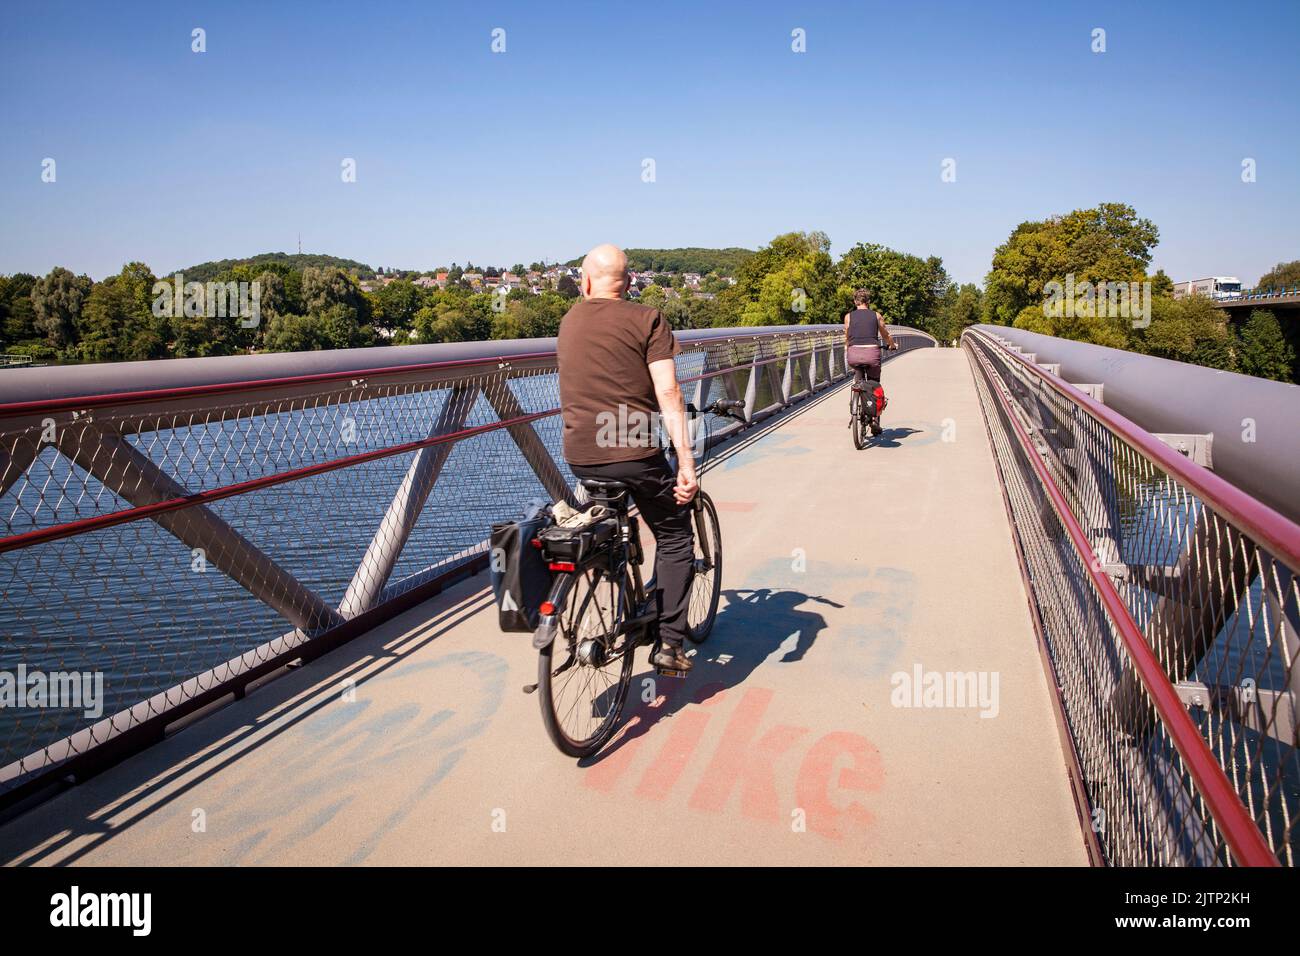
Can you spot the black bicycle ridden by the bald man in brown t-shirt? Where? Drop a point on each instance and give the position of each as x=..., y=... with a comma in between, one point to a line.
x=599, y=612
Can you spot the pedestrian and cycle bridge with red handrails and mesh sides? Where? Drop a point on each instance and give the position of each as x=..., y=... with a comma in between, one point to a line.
x=1048, y=617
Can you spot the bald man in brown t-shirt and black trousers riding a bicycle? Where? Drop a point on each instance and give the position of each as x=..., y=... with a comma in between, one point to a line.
x=617, y=373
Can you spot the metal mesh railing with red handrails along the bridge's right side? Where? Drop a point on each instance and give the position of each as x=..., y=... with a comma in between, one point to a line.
x=1168, y=604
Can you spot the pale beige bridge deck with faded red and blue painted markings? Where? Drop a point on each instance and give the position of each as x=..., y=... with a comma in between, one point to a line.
x=414, y=745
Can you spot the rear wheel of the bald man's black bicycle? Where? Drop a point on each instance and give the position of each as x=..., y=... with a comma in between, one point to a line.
x=583, y=676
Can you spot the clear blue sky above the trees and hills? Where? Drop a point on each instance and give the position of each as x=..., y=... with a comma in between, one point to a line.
x=175, y=158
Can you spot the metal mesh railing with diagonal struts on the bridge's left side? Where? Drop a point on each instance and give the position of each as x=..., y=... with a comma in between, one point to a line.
x=175, y=544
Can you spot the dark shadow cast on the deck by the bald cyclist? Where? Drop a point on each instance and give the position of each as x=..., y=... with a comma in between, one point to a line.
x=753, y=626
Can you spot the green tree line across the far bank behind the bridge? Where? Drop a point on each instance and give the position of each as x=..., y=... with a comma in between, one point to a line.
x=792, y=280
